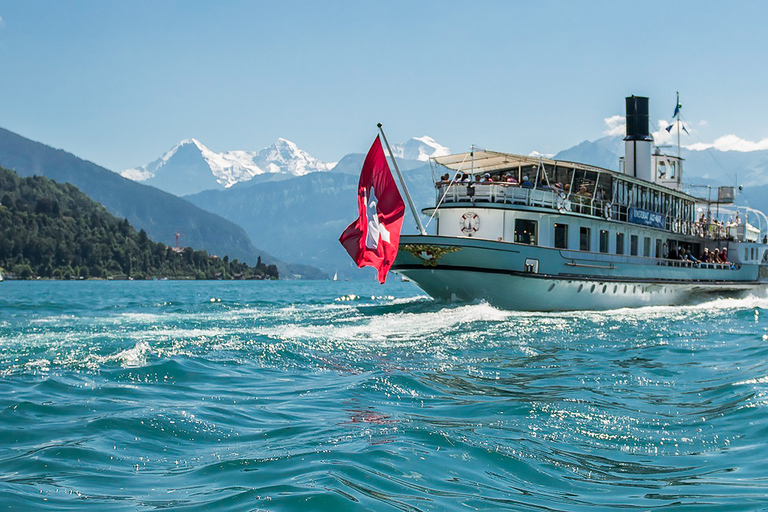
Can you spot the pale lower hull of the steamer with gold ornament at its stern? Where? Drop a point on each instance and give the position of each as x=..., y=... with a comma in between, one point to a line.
x=481, y=270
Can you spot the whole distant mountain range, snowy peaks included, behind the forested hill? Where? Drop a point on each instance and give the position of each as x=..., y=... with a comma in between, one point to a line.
x=296, y=206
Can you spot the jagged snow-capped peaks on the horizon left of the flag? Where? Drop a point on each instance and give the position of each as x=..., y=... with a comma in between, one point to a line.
x=191, y=167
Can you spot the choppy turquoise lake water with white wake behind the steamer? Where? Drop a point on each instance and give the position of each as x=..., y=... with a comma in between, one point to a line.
x=355, y=396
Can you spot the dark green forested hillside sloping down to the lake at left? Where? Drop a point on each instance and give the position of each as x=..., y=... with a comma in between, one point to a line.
x=52, y=230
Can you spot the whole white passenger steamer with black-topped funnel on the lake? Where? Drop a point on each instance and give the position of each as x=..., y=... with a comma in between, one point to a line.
x=582, y=237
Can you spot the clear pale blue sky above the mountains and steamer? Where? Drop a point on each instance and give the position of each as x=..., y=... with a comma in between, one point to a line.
x=121, y=82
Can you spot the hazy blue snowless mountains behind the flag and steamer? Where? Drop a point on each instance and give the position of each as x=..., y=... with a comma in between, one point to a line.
x=303, y=216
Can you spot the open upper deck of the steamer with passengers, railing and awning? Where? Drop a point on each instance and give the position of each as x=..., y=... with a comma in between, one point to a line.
x=579, y=189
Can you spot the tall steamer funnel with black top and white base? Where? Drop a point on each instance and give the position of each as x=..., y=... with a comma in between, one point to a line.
x=637, y=143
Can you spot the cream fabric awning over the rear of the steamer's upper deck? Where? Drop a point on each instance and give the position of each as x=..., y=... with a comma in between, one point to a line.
x=483, y=161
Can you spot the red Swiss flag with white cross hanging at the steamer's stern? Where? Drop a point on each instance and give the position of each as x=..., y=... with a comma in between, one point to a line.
x=372, y=240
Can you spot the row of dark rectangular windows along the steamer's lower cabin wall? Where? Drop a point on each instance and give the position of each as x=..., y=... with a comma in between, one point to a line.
x=525, y=233
